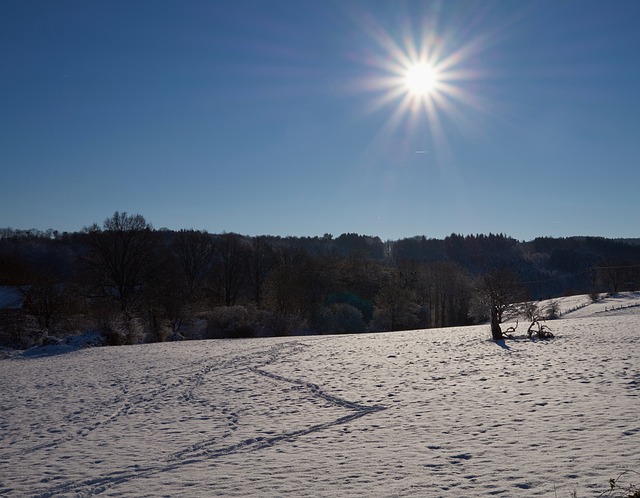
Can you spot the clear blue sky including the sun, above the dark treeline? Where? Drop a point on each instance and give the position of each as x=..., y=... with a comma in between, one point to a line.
x=301, y=117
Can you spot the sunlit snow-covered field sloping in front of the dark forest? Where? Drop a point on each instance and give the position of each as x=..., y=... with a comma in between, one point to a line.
x=443, y=412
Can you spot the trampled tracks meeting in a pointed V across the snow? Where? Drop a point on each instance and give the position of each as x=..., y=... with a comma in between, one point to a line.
x=210, y=448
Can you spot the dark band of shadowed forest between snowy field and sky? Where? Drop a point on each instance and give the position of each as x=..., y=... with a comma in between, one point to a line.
x=133, y=283
